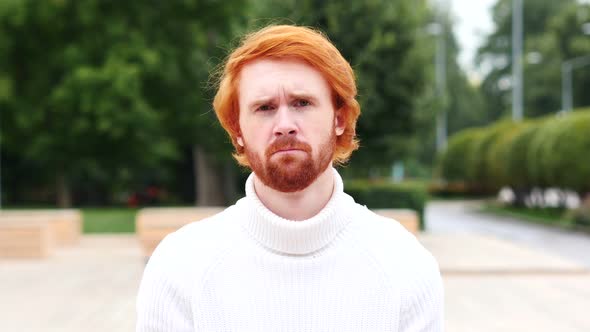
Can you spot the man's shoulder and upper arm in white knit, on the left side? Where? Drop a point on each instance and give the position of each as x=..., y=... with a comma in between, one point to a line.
x=176, y=267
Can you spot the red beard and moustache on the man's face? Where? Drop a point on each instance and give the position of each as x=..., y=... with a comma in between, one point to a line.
x=291, y=173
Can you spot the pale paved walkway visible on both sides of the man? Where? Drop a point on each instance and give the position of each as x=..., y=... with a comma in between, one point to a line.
x=494, y=280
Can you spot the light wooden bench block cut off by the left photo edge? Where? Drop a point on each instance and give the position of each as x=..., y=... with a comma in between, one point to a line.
x=26, y=237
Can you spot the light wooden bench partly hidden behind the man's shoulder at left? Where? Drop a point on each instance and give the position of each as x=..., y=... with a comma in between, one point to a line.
x=153, y=224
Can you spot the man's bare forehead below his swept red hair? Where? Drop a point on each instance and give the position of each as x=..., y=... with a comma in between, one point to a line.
x=265, y=77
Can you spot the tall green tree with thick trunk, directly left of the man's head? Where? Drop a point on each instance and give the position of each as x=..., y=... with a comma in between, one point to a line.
x=192, y=43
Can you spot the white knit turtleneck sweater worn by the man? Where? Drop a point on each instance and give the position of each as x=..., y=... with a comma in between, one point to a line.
x=247, y=269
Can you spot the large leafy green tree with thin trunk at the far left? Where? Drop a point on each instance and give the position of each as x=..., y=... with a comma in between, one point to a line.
x=74, y=101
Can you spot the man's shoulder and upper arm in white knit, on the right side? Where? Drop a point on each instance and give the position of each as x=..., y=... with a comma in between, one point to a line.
x=412, y=269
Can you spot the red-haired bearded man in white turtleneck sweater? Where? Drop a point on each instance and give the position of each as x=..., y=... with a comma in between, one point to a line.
x=297, y=253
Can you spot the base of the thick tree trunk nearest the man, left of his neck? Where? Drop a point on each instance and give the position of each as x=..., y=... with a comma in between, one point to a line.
x=208, y=187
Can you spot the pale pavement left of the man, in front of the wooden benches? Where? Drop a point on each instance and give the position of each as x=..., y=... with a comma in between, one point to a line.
x=89, y=287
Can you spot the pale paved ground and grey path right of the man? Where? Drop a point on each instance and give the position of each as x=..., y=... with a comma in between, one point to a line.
x=502, y=274
